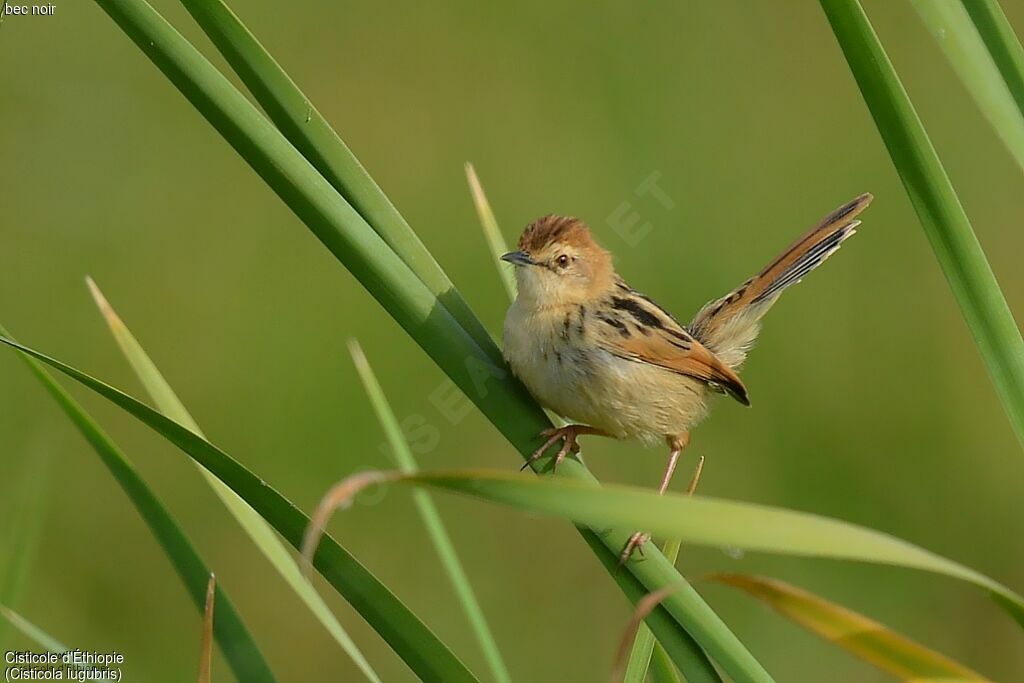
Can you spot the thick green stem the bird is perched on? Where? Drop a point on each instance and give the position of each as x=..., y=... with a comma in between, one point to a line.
x=474, y=368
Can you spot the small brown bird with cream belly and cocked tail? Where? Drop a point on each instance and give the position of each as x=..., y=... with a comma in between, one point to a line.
x=593, y=350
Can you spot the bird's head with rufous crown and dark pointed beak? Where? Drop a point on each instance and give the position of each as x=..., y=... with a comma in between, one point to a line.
x=559, y=264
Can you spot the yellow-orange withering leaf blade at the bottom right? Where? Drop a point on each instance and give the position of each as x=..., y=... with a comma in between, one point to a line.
x=865, y=638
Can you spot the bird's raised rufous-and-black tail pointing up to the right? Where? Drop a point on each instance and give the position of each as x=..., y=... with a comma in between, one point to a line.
x=731, y=325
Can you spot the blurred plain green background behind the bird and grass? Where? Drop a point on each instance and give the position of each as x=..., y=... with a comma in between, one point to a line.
x=871, y=403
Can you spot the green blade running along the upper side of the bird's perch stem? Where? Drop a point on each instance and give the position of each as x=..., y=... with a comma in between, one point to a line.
x=305, y=127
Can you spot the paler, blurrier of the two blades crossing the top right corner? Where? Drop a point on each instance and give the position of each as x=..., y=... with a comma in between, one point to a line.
x=952, y=27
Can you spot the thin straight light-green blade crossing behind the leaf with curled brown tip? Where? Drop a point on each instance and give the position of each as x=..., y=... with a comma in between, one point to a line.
x=432, y=518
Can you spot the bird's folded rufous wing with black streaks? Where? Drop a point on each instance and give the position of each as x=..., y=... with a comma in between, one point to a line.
x=635, y=328
